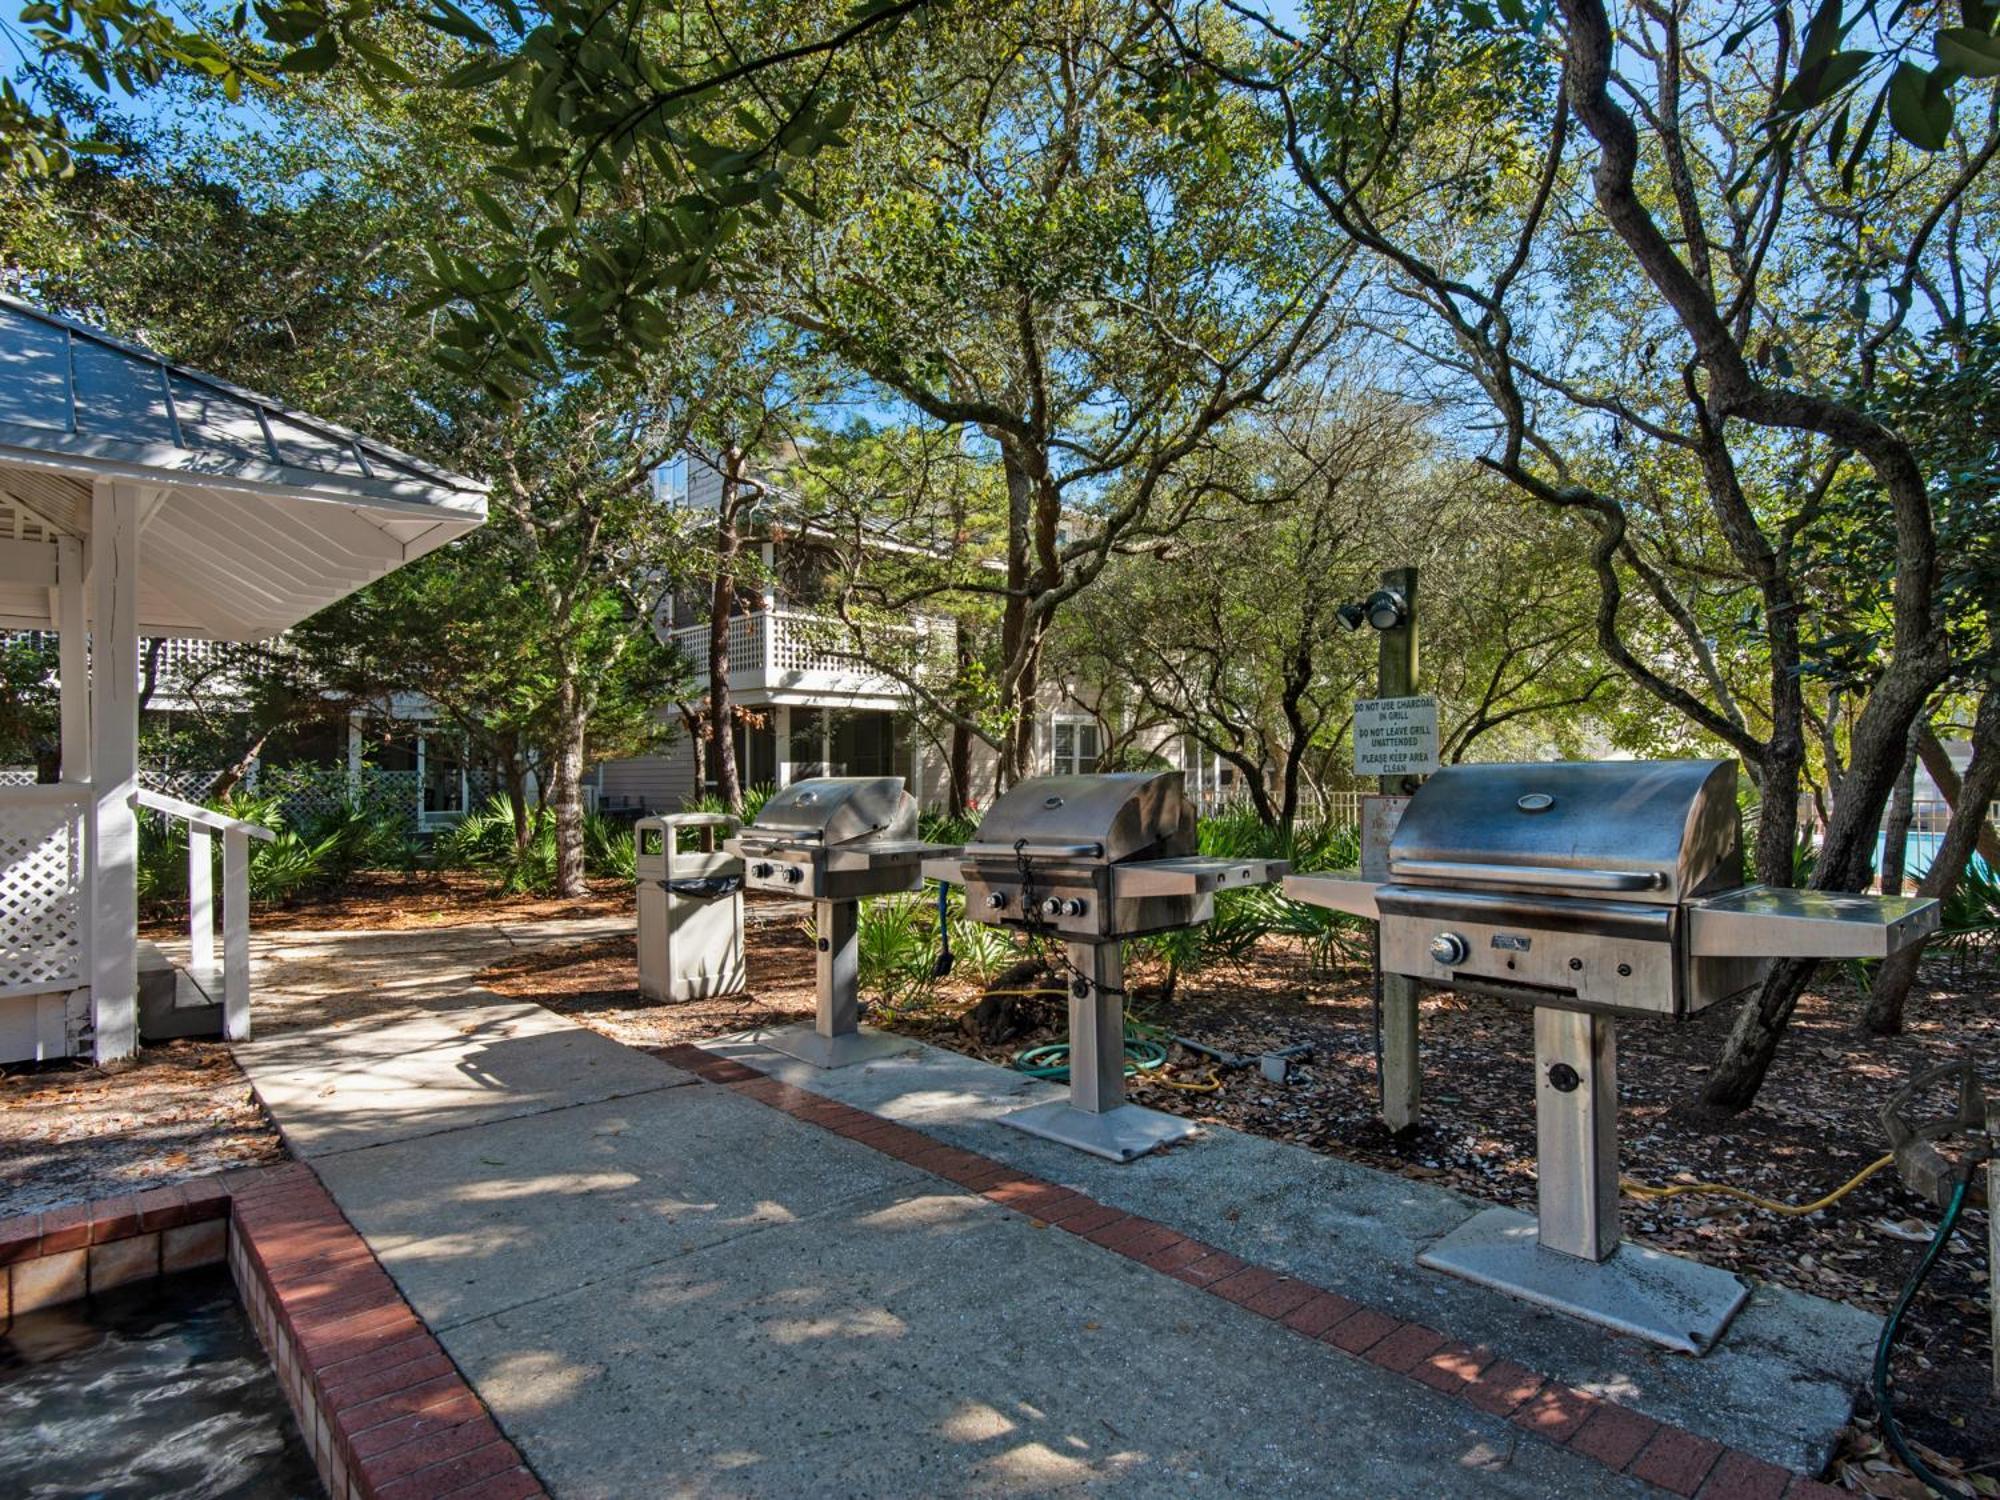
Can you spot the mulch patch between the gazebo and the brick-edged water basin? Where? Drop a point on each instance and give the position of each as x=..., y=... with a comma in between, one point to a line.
x=71, y=1131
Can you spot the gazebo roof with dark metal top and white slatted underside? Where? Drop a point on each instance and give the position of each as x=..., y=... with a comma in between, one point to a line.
x=255, y=515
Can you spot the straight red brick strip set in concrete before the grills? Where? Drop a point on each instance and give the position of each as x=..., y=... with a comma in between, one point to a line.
x=1617, y=1437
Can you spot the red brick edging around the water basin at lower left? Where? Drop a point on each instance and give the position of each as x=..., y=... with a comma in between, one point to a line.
x=379, y=1401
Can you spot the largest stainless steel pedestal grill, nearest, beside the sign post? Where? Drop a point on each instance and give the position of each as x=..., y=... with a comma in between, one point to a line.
x=1589, y=893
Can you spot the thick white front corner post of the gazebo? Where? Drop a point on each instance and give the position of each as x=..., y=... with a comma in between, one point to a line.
x=115, y=769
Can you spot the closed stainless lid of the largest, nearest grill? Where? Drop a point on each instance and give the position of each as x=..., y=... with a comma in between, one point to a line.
x=1657, y=831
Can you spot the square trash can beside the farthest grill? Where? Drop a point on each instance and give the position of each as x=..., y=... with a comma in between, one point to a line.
x=691, y=909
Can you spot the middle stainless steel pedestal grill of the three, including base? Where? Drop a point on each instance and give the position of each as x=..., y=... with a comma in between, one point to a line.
x=1091, y=861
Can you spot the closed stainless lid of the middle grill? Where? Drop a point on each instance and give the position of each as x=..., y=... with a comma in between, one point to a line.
x=1097, y=819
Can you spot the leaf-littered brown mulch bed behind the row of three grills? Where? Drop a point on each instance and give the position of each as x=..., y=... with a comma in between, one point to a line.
x=1813, y=1127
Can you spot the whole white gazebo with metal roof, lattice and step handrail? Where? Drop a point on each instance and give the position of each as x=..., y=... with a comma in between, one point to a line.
x=141, y=499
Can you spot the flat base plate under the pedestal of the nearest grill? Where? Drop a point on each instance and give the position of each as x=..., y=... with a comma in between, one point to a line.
x=1681, y=1305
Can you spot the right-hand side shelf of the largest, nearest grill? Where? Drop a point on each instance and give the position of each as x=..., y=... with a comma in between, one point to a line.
x=1769, y=923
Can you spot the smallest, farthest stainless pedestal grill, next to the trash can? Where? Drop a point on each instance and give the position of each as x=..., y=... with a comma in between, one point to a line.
x=835, y=841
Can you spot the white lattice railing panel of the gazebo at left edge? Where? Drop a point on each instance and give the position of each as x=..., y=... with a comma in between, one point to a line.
x=43, y=889
